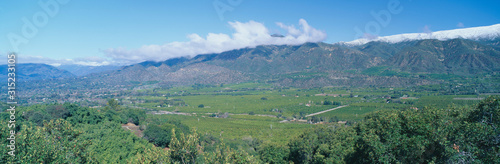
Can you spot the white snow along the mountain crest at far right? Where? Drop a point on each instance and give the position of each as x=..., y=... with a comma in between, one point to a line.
x=474, y=33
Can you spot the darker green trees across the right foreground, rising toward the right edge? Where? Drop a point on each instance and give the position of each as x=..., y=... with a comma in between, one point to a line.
x=453, y=135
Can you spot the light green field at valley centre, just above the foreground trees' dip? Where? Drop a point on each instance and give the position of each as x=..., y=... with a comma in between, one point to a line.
x=239, y=127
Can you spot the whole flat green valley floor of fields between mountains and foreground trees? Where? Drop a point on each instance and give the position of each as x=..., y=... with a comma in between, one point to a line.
x=277, y=114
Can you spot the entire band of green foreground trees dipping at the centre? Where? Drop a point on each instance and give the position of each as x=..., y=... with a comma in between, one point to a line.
x=73, y=134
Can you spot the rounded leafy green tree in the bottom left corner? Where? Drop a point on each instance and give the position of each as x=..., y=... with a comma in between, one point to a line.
x=55, y=142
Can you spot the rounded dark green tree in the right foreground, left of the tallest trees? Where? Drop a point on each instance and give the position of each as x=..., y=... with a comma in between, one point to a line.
x=386, y=138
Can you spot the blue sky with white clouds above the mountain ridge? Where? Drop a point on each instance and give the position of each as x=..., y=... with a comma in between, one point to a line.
x=122, y=32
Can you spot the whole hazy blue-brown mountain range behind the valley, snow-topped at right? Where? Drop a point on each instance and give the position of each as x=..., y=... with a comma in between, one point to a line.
x=309, y=64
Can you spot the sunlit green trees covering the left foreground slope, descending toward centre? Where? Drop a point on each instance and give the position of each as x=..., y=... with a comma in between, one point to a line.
x=67, y=133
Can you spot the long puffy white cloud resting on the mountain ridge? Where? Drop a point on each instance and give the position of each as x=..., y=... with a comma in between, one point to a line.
x=249, y=34
